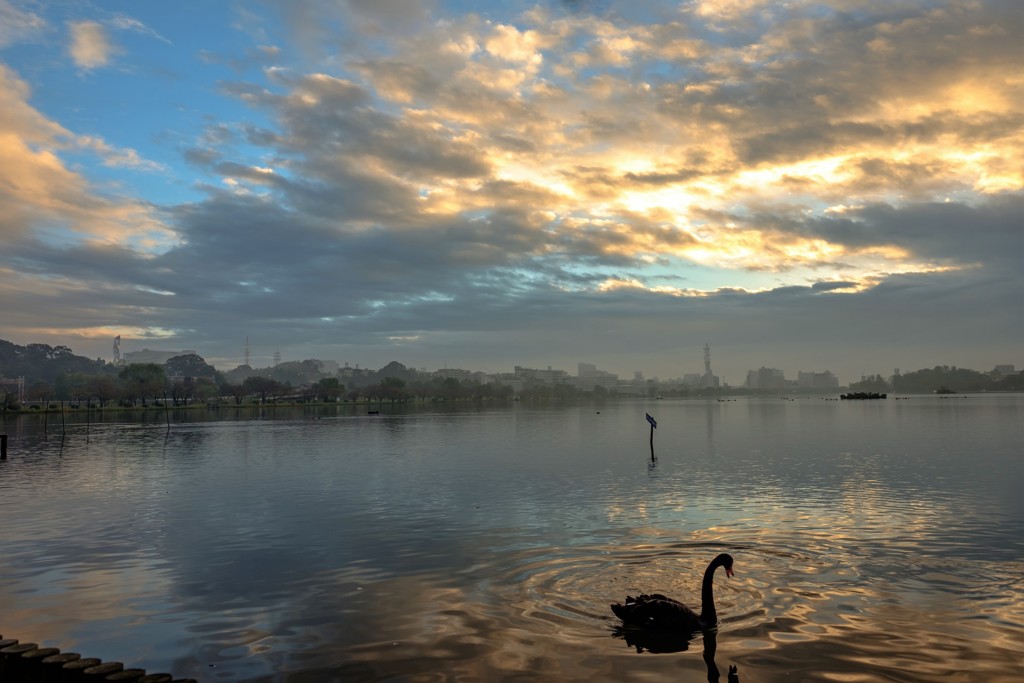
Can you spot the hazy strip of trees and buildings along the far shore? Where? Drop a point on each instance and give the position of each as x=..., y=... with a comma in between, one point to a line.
x=54, y=378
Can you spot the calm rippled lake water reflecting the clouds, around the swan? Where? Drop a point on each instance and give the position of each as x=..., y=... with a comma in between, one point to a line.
x=874, y=541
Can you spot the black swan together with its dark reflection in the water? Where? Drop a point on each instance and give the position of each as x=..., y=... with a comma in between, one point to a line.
x=659, y=624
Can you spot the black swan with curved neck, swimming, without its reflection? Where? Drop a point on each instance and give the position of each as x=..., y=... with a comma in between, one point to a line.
x=659, y=612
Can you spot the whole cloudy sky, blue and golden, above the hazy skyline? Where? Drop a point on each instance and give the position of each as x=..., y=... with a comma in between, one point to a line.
x=806, y=186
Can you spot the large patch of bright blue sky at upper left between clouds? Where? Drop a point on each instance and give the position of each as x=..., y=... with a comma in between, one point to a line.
x=155, y=96
